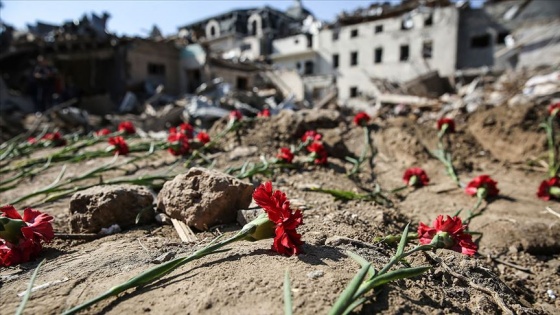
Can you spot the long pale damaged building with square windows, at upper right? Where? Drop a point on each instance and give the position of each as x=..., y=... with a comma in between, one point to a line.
x=416, y=39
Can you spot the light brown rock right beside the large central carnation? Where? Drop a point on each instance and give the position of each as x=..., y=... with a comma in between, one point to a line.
x=203, y=198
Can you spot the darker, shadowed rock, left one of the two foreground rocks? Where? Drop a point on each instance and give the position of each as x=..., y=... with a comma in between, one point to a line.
x=102, y=206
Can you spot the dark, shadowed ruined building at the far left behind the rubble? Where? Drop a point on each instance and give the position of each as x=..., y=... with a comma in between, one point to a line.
x=91, y=64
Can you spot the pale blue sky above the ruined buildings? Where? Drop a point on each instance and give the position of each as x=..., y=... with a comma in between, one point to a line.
x=129, y=17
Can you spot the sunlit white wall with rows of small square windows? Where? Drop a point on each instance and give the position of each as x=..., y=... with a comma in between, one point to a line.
x=443, y=34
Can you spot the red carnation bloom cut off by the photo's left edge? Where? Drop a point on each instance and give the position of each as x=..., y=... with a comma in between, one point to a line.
x=21, y=237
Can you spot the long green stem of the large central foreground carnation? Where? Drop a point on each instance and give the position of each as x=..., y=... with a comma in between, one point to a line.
x=159, y=271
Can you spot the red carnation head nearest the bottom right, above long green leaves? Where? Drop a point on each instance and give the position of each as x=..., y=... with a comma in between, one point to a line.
x=447, y=233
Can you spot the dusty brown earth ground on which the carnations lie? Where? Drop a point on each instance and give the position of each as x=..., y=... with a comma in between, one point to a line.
x=519, y=254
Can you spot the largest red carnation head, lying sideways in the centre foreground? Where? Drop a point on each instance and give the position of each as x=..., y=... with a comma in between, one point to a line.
x=287, y=241
